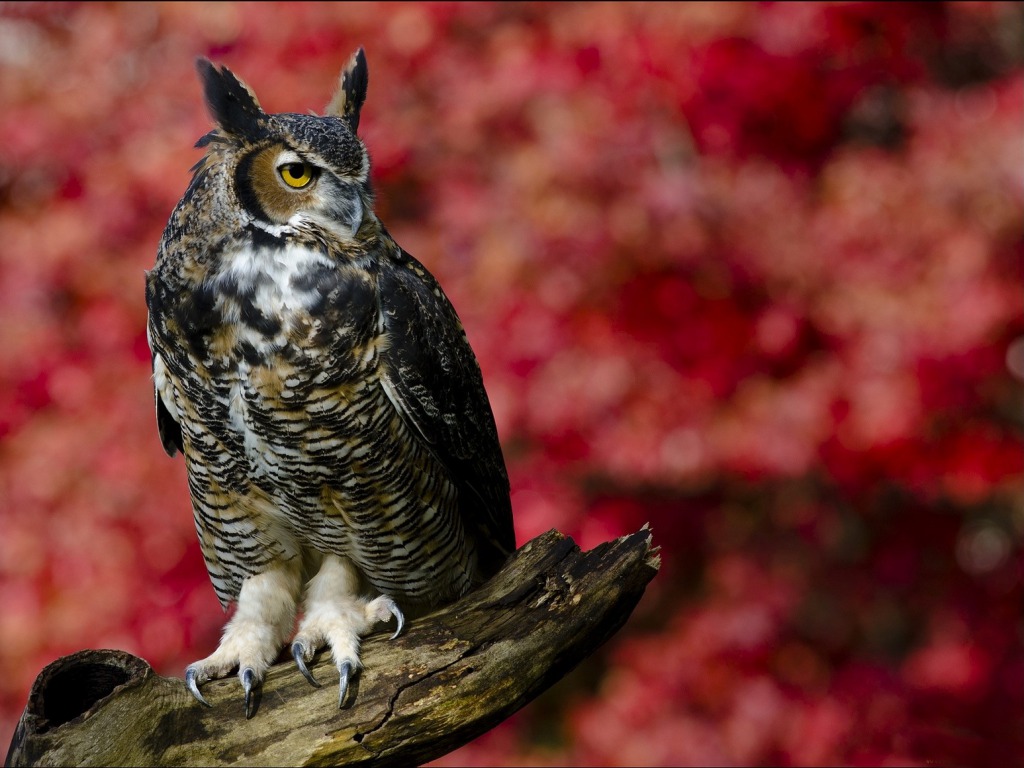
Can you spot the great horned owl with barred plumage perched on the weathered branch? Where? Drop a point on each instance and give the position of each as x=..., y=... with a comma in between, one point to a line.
x=344, y=463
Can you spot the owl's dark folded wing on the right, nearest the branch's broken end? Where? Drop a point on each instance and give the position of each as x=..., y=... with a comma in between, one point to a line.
x=433, y=377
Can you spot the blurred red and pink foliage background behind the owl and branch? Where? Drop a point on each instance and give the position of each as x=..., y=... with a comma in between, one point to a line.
x=751, y=273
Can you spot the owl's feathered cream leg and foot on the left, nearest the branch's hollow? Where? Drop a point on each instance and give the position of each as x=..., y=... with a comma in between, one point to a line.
x=253, y=637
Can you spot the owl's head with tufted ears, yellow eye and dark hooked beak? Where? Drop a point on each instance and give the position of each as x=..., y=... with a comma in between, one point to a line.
x=289, y=169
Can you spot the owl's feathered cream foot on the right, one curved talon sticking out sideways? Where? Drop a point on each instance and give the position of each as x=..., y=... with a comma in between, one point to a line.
x=336, y=616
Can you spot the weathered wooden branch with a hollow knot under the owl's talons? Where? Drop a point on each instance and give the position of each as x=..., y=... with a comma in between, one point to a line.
x=449, y=678
